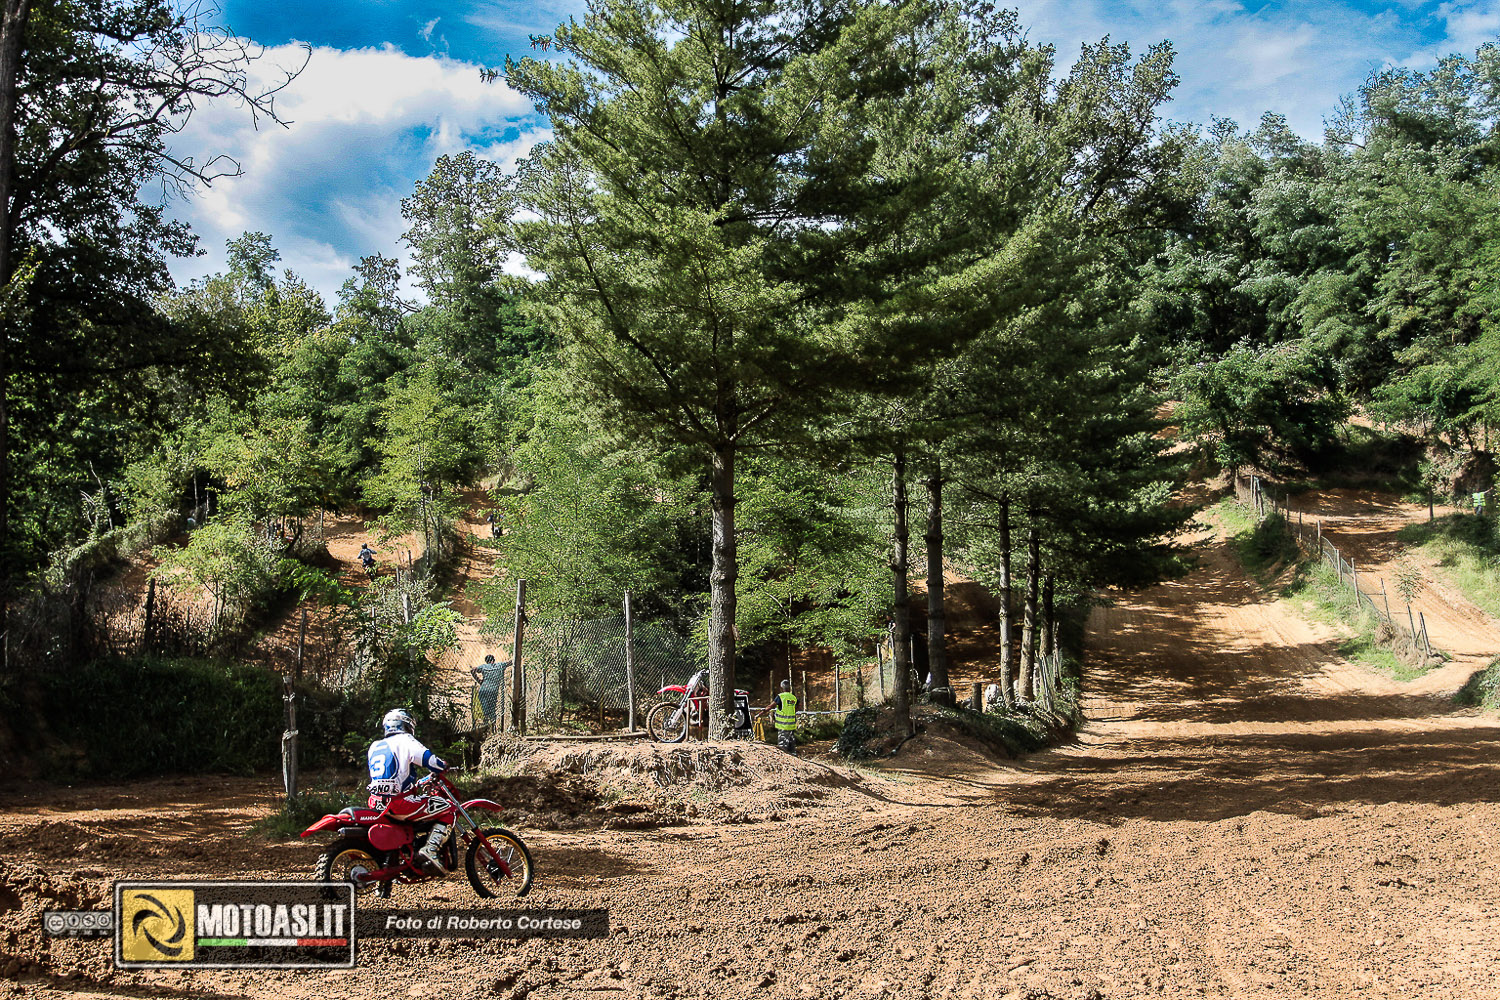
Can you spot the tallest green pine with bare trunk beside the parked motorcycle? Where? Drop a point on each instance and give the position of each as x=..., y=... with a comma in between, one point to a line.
x=725, y=217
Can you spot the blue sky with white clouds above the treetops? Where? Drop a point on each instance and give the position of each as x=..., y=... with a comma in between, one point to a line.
x=394, y=85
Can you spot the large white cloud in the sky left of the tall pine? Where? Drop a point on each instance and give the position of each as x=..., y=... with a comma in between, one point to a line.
x=365, y=127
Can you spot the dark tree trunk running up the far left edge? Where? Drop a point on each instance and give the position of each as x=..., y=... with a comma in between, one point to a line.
x=13, y=43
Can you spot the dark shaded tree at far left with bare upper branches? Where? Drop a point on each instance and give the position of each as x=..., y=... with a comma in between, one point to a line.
x=91, y=95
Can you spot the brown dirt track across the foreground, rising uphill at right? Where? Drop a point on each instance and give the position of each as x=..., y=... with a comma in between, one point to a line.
x=1244, y=816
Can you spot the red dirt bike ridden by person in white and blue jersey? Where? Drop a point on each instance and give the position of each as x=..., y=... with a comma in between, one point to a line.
x=376, y=851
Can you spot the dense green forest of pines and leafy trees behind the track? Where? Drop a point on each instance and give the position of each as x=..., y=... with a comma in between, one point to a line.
x=788, y=284
